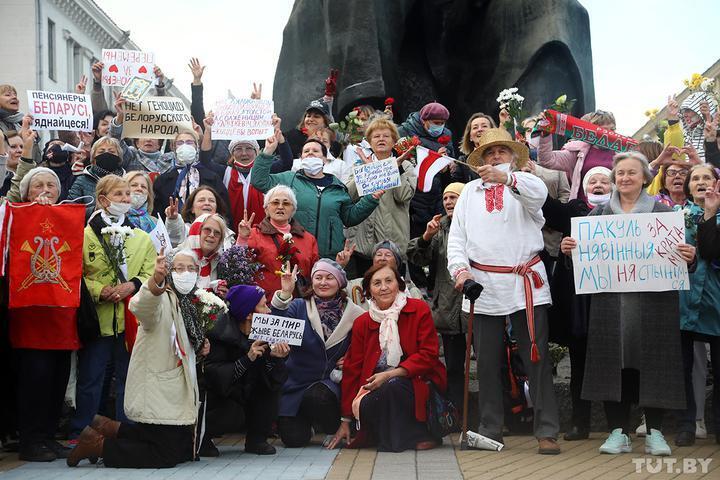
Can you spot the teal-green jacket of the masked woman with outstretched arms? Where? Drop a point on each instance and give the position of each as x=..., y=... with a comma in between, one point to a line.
x=322, y=213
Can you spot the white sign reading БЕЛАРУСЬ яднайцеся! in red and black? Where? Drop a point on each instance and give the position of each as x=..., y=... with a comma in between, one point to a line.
x=60, y=111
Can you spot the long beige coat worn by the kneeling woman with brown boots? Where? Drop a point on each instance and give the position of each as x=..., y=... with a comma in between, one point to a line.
x=159, y=388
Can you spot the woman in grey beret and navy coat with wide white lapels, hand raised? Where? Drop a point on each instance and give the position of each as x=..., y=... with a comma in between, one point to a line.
x=311, y=394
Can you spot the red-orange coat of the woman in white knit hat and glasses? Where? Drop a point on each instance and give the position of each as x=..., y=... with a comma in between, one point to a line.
x=261, y=239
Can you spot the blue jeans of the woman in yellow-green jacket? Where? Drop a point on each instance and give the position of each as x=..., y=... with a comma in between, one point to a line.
x=92, y=362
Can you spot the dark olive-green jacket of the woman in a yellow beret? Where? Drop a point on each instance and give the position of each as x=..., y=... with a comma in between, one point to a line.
x=446, y=302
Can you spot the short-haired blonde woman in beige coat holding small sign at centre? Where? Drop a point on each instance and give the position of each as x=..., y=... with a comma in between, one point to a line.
x=391, y=219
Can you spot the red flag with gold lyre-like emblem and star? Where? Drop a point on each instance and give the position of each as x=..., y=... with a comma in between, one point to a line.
x=45, y=251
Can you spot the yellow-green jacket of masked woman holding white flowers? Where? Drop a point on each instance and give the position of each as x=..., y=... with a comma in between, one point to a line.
x=140, y=258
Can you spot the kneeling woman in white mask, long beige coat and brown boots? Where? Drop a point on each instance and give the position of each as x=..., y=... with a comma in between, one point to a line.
x=162, y=390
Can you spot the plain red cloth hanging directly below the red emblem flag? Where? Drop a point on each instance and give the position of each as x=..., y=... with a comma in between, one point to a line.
x=44, y=328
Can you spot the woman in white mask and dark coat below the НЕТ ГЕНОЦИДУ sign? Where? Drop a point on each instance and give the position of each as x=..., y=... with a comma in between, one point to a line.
x=186, y=175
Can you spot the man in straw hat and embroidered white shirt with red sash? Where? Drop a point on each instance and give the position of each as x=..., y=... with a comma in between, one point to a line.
x=495, y=238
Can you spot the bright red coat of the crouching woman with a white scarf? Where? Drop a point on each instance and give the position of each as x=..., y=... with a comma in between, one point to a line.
x=419, y=342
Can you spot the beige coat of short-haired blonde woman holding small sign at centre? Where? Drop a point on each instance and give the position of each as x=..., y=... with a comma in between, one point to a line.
x=390, y=220
